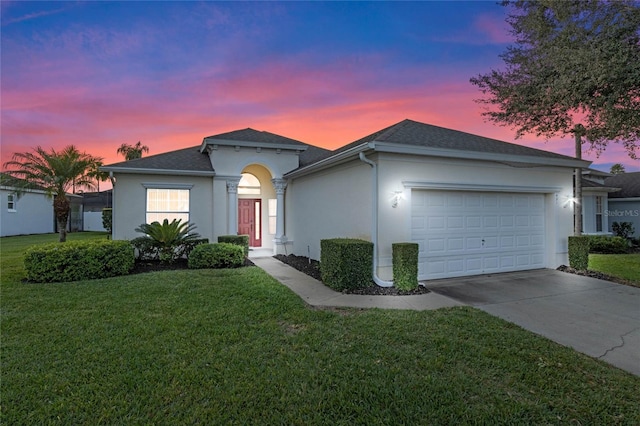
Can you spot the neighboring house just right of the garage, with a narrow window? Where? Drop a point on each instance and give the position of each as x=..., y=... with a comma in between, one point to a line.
x=595, y=202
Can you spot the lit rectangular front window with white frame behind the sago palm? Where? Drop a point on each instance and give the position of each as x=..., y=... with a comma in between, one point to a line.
x=167, y=204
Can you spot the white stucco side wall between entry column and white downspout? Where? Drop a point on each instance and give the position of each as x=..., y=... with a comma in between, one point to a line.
x=329, y=204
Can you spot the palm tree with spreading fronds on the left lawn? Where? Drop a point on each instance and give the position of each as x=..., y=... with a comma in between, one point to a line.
x=55, y=173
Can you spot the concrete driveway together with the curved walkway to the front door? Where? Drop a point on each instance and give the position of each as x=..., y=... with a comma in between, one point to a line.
x=598, y=318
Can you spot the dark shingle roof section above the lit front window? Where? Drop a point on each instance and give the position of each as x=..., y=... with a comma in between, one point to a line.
x=187, y=159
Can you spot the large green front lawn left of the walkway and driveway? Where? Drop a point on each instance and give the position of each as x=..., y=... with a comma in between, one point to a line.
x=236, y=347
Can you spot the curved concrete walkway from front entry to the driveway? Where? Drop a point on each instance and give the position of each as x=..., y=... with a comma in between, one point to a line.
x=315, y=293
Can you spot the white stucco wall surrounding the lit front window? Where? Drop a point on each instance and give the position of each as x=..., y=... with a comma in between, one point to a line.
x=129, y=202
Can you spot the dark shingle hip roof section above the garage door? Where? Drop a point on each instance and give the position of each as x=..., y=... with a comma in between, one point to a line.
x=409, y=132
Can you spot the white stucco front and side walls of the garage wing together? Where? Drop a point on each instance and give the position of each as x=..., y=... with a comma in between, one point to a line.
x=337, y=202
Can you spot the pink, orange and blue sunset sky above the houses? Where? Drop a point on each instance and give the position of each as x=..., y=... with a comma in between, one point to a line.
x=99, y=74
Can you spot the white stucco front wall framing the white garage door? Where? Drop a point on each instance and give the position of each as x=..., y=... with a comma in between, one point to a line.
x=466, y=175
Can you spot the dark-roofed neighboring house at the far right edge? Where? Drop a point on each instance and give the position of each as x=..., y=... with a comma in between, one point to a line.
x=624, y=205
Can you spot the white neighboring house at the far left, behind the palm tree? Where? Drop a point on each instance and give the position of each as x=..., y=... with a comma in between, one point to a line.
x=24, y=212
